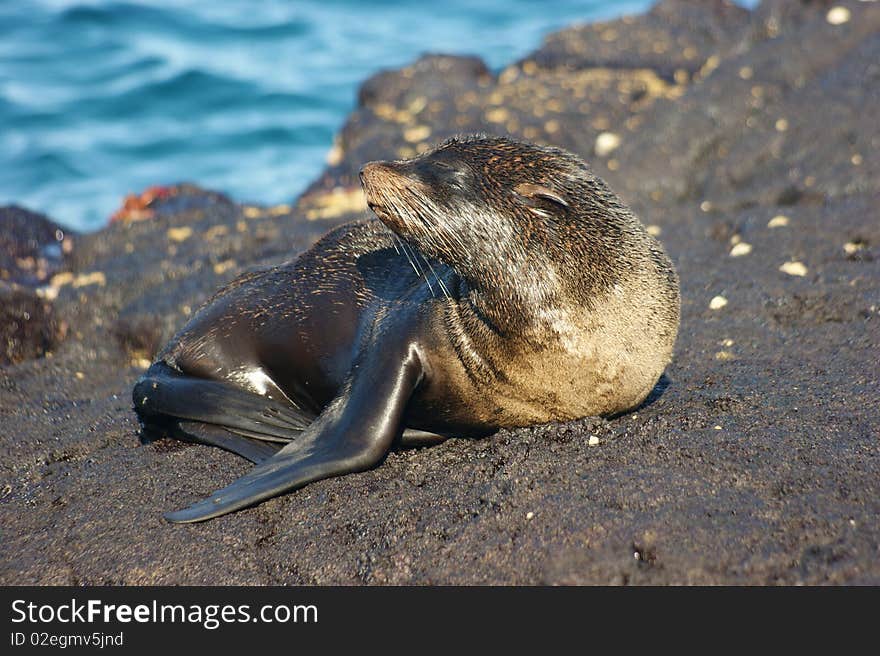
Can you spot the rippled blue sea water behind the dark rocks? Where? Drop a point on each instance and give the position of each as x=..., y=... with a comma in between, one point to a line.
x=102, y=98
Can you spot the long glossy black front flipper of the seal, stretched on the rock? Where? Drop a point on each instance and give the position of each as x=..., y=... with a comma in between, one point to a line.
x=353, y=433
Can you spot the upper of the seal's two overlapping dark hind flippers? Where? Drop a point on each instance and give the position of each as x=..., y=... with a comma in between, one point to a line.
x=165, y=391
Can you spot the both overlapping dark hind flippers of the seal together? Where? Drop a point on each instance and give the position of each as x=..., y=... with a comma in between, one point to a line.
x=215, y=413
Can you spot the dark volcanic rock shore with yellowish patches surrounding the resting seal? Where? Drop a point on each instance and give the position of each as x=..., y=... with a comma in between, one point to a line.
x=746, y=140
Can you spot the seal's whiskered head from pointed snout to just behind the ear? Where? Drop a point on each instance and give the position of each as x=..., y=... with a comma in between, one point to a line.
x=475, y=188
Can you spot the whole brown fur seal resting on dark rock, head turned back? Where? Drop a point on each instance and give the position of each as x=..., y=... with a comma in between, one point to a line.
x=504, y=285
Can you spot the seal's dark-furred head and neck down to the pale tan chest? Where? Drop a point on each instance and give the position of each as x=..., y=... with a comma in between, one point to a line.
x=518, y=221
